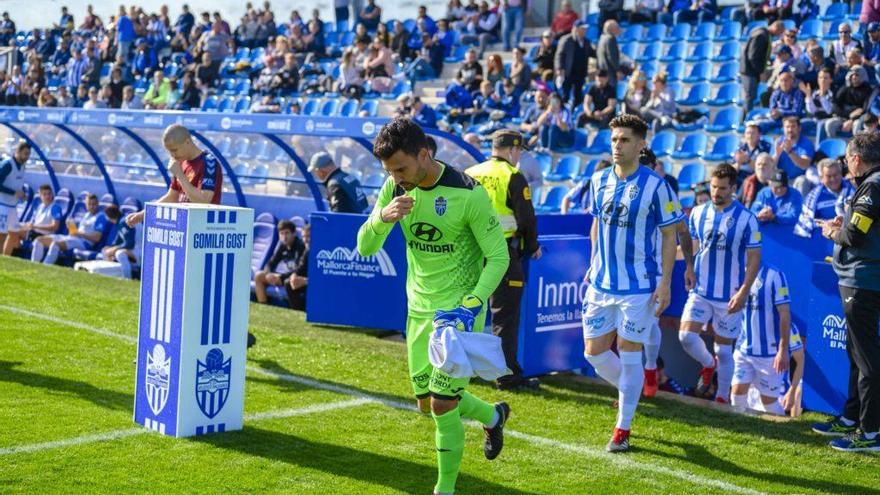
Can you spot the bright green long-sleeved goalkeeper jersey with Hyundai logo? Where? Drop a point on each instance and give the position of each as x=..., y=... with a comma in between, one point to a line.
x=450, y=230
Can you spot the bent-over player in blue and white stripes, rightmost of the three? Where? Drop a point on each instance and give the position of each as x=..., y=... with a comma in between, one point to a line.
x=763, y=349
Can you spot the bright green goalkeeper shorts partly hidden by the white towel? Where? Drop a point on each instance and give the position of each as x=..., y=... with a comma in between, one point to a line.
x=426, y=379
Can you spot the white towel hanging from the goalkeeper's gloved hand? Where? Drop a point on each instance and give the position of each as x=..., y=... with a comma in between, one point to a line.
x=467, y=354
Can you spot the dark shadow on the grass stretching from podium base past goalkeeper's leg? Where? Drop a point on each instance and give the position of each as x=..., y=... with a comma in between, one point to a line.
x=337, y=460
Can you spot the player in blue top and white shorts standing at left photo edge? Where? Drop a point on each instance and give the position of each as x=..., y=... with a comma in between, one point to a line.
x=11, y=183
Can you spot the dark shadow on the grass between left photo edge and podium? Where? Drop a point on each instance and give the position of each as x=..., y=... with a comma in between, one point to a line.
x=62, y=386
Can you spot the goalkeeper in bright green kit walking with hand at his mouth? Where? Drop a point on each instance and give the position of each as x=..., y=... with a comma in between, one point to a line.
x=450, y=228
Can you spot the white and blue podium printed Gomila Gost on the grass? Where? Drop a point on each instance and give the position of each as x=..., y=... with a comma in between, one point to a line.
x=192, y=330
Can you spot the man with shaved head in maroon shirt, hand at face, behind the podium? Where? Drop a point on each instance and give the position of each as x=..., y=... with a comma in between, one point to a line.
x=198, y=177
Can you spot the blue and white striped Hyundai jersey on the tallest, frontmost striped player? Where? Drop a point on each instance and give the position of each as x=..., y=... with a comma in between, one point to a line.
x=629, y=211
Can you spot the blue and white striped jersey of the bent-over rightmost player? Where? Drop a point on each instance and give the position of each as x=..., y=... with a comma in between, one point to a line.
x=760, y=336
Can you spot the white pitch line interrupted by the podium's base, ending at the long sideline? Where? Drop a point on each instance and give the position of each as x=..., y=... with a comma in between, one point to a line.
x=116, y=435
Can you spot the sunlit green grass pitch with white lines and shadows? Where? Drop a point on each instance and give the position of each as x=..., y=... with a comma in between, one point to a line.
x=329, y=412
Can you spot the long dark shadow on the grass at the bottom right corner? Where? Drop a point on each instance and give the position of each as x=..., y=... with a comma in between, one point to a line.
x=701, y=456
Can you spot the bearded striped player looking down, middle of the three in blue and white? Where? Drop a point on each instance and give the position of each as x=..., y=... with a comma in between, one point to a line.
x=727, y=261
